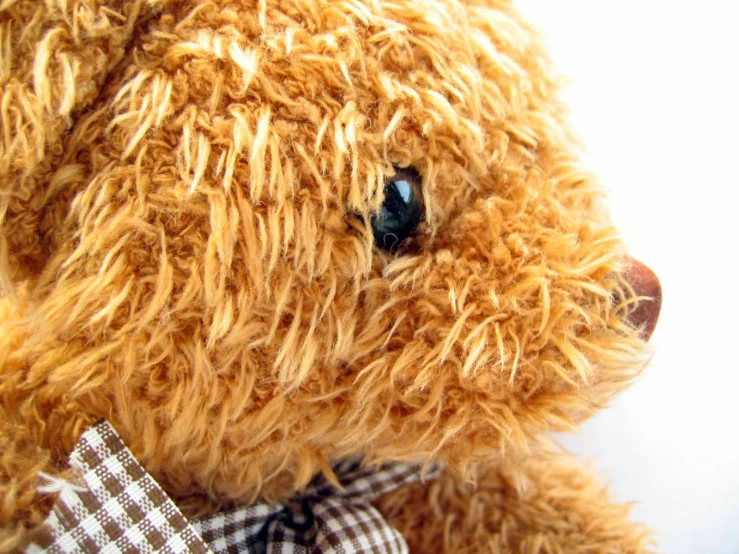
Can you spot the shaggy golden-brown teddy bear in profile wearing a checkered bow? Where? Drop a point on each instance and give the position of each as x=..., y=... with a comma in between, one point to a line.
x=285, y=247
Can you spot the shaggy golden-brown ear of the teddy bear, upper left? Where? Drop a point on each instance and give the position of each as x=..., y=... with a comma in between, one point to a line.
x=54, y=59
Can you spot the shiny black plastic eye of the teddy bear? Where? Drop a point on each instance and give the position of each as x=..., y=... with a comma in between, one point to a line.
x=401, y=211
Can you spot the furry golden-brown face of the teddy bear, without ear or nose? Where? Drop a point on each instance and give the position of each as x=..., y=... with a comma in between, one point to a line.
x=211, y=282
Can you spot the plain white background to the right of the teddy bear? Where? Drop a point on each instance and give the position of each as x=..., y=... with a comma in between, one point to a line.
x=655, y=99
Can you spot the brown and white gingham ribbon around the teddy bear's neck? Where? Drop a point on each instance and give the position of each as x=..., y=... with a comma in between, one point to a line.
x=118, y=508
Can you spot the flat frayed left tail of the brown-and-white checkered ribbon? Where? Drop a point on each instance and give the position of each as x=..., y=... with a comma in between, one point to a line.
x=117, y=508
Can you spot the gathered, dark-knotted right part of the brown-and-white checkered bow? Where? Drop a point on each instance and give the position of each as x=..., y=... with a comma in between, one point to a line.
x=323, y=519
